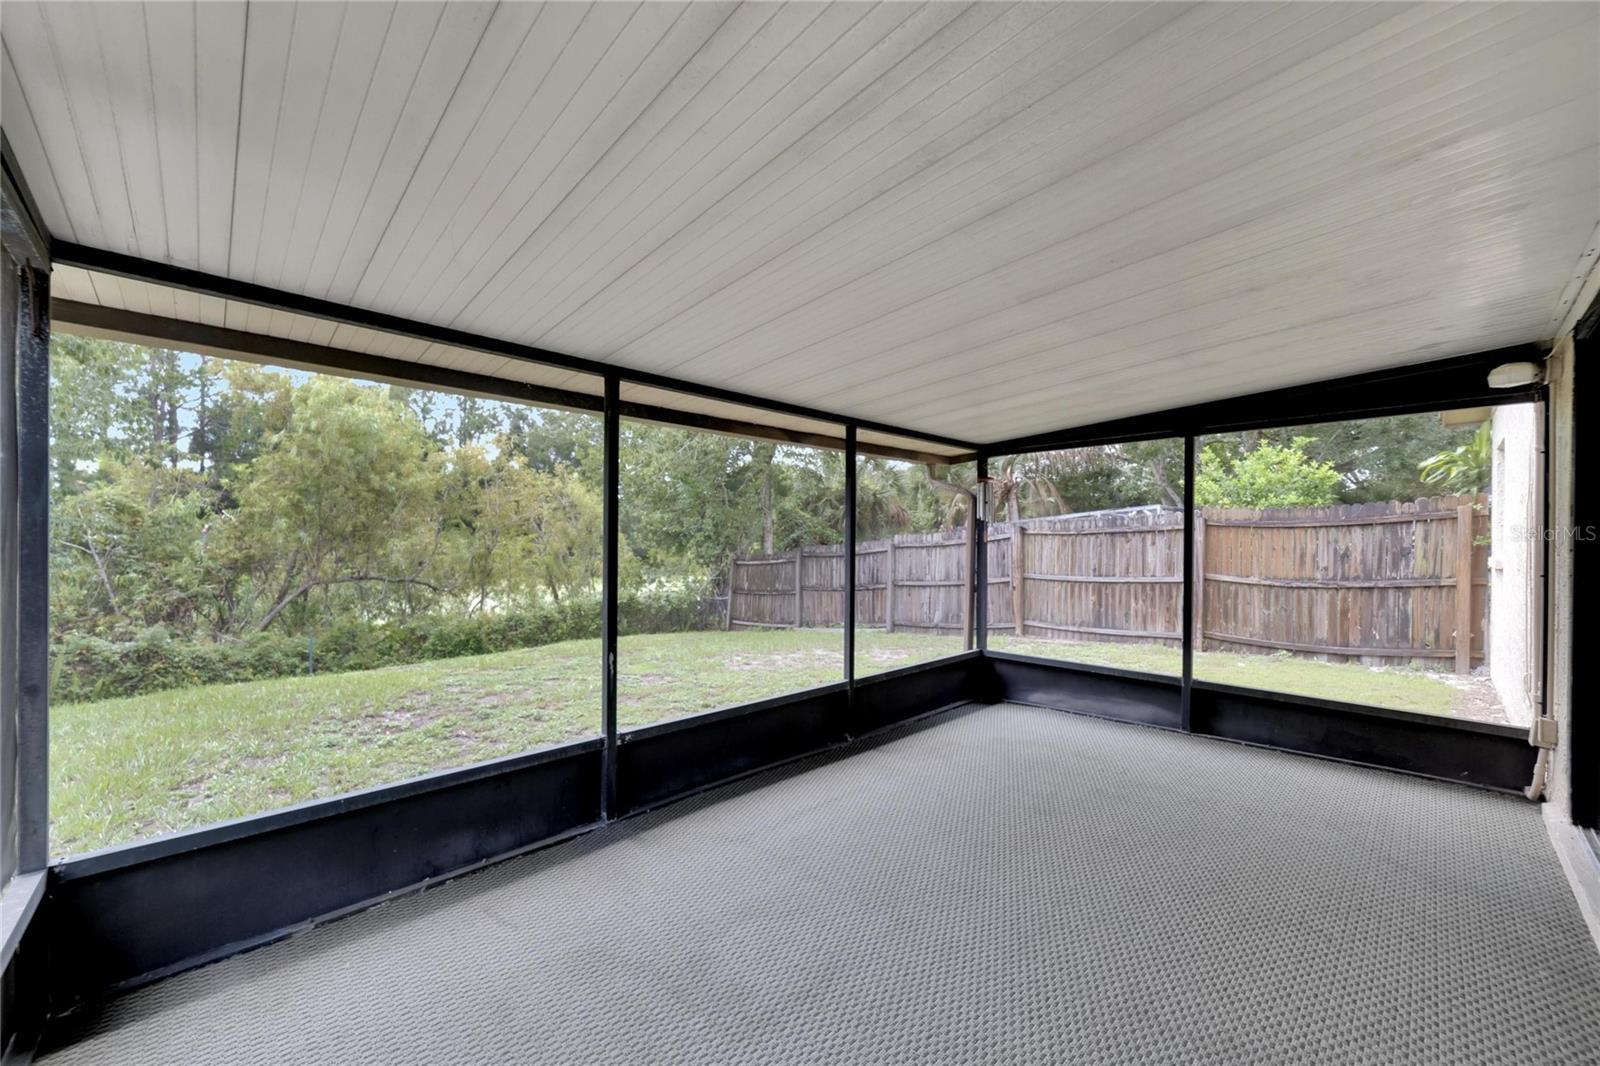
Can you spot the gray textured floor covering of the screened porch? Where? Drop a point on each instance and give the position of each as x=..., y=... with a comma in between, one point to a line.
x=999, y=884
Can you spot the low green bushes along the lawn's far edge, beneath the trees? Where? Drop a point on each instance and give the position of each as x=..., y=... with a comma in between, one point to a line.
x=92, y=668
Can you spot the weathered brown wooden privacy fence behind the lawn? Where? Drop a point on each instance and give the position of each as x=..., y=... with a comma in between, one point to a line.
x=1378, y=583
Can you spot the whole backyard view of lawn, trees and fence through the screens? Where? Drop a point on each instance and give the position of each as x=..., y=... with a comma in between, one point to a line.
x=217, y=526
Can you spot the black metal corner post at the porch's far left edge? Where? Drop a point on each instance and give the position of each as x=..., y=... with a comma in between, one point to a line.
x=33, y=555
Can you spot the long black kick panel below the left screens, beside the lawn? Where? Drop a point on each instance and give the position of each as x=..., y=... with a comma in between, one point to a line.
x=142, y=912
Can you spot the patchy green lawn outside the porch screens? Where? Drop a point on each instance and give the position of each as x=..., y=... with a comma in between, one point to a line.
x=143, y=766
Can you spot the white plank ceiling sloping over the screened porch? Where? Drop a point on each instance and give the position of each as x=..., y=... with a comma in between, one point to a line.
x=974, y=220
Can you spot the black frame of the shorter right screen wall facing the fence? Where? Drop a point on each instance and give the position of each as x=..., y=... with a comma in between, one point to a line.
x=1484, y=755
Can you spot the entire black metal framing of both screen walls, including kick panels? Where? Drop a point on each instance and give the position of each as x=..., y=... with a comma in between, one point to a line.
x=137, y=913
